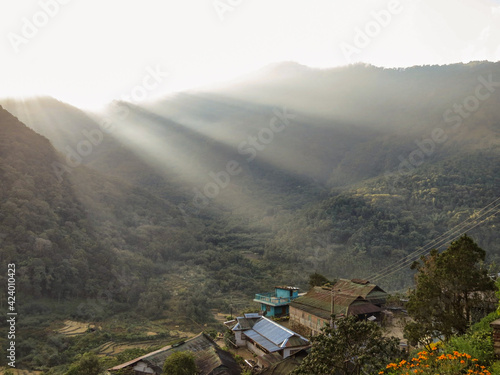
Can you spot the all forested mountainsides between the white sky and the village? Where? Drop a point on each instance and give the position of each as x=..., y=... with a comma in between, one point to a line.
x=193, y=203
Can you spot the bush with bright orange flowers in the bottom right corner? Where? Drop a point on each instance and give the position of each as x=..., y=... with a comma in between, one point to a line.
x=434, y=363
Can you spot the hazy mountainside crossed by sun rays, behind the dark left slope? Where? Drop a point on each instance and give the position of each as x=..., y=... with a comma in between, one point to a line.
x=370, y=164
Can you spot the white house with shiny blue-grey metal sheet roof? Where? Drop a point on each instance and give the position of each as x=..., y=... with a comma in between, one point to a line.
x=263, y=336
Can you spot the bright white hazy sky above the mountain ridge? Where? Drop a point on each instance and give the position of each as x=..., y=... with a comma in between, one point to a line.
x=88, y=52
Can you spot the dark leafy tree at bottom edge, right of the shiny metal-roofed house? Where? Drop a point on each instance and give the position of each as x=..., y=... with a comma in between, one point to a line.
x=351, y=347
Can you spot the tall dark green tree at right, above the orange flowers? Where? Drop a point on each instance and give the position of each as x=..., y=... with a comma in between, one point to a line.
x=450, y=286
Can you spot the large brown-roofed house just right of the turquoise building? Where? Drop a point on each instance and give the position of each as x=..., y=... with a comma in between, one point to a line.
x=312, y=311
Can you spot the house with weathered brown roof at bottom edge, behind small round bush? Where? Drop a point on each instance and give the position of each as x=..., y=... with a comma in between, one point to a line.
x=209, y=357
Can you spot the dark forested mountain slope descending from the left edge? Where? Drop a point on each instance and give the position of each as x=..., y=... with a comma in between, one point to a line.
x=43, y=227
